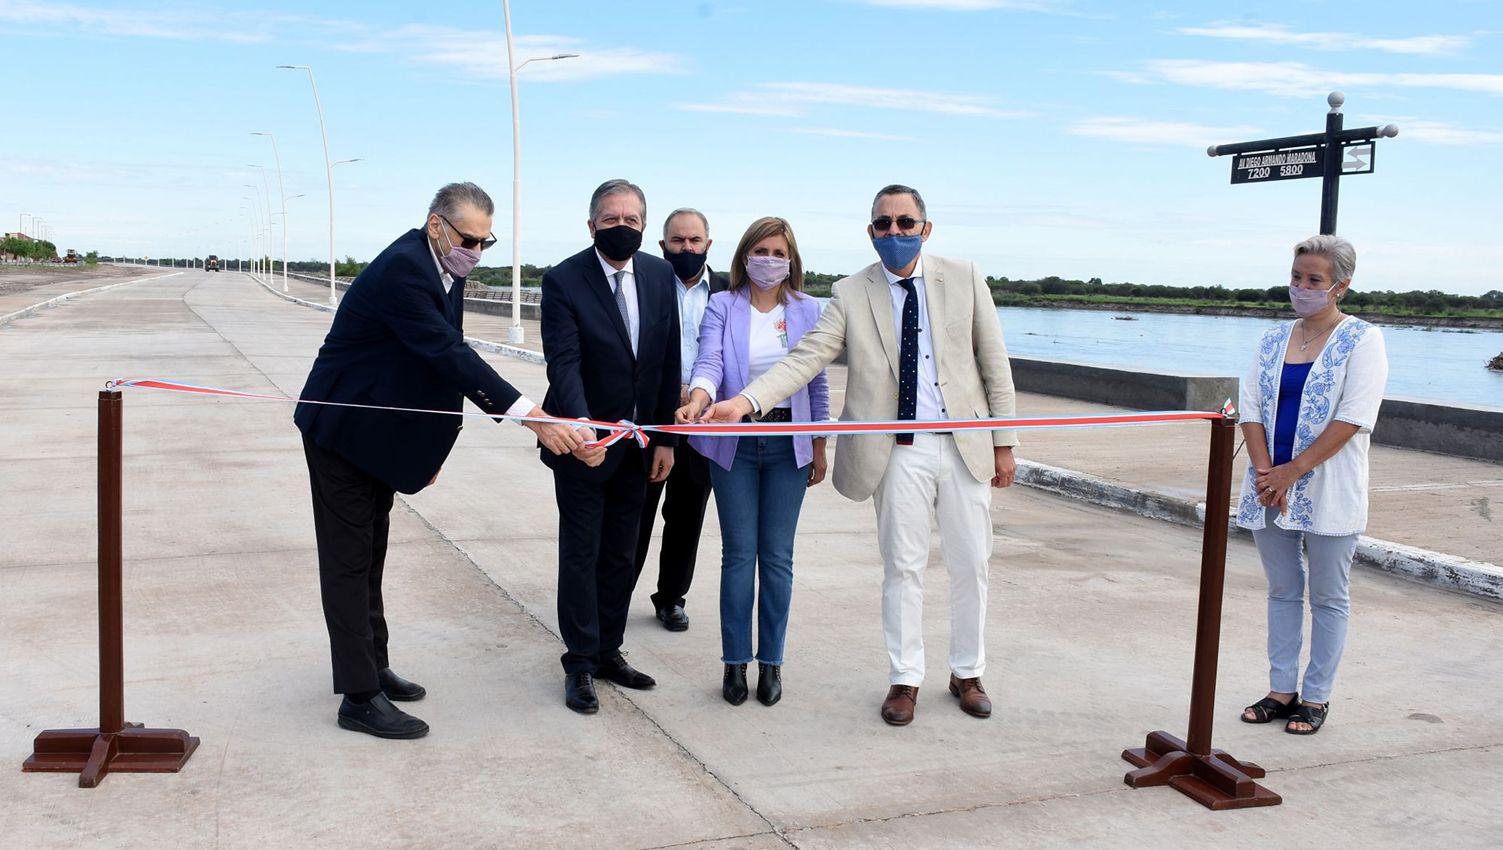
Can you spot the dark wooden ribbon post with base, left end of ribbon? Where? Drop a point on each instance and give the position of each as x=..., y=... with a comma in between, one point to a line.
x=116, y=746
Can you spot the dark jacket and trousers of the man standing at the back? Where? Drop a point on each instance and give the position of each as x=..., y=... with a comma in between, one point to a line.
x=685, y=496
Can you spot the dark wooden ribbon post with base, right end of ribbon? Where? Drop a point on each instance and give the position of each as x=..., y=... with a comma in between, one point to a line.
x=1211, y=777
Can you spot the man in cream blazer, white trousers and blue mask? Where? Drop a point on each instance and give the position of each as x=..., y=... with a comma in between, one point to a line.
x=924, y=343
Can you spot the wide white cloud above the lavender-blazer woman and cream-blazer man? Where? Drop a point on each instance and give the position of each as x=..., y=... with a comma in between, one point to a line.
x=797, y=98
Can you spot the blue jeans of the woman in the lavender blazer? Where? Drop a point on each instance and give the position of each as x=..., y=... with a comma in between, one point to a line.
x=758, y=501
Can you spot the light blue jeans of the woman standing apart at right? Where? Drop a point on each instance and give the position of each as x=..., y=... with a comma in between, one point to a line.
x=1284, y=562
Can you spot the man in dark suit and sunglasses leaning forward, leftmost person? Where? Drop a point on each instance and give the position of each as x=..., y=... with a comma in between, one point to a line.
x=396, y=342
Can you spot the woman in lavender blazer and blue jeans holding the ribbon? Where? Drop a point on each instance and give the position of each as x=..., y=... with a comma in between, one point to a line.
x=760, y=481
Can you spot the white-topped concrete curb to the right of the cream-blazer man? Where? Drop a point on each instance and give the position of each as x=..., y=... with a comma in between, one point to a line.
x=1451, y=573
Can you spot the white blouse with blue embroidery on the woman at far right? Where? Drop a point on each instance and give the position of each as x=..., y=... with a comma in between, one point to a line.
x=1346, y=384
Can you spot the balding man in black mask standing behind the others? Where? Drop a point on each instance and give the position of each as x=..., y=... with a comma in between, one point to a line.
x=686, y=493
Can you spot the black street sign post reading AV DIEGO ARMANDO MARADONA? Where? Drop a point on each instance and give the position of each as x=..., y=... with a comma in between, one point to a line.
x=1328, y=155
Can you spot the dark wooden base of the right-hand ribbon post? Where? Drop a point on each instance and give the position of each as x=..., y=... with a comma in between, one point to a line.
x=1217, y=782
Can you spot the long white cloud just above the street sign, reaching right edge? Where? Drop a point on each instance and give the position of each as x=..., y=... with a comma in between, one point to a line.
x=1299, y=80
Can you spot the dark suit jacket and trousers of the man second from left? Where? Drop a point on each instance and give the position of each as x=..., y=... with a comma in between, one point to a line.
x=594, y=373
